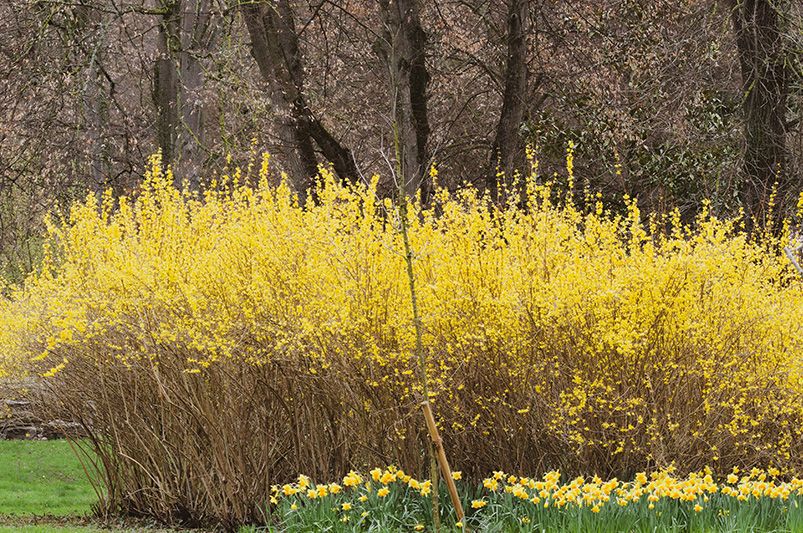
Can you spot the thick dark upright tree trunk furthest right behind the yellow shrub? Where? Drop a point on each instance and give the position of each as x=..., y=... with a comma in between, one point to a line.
x=760, y=43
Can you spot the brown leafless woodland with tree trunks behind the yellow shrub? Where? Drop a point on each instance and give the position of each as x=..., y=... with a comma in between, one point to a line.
x=669, y=101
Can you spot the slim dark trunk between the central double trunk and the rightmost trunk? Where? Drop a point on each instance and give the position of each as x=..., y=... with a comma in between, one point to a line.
x=507, y=146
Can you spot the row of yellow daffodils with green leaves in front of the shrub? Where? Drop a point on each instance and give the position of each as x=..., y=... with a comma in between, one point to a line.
x=390, y=499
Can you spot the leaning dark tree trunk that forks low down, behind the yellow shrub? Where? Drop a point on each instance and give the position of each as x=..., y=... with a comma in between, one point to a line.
x=274, y=45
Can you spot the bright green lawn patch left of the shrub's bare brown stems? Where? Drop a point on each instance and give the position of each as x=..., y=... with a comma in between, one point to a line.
x=42, y=478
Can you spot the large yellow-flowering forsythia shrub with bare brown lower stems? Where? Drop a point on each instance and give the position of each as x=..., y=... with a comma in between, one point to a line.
x=216, y=344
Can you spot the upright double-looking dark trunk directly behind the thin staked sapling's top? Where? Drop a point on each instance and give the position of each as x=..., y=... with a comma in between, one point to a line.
x=404, y=51
